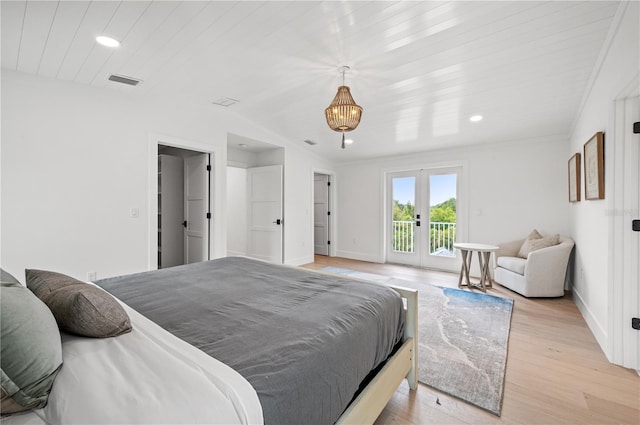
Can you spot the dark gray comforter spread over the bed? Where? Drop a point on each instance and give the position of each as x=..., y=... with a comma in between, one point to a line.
x=304, y=340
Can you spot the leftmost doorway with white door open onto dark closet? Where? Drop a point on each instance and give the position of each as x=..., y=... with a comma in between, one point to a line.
x=184, y=182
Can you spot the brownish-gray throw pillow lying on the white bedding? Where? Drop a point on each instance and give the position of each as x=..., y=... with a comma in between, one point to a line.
x=78, y=307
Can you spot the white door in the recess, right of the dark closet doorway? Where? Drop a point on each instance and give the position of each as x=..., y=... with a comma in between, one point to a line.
x=265, y=218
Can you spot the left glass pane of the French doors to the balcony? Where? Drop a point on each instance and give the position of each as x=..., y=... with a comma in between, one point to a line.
x=404, y=194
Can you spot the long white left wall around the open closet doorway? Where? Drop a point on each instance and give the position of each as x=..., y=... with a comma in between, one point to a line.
x=76, y=159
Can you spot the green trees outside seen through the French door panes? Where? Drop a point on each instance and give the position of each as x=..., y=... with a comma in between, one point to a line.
x=440, y=236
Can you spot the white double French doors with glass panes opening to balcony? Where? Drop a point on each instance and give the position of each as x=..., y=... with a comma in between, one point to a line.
x=423, y=217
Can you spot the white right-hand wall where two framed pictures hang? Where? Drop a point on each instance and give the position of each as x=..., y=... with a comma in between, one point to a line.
x=590, y=219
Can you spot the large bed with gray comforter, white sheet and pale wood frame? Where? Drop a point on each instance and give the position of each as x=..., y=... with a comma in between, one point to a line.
x=283, y=345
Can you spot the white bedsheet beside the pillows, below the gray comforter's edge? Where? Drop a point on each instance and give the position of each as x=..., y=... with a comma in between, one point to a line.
x=145, y=377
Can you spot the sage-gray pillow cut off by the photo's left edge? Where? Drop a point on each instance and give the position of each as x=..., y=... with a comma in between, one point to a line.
x=31, y=350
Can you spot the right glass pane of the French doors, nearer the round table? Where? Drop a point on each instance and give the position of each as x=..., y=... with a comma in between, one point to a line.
x=442, y=214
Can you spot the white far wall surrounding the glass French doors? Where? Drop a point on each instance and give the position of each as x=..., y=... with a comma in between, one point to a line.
x=512, y=188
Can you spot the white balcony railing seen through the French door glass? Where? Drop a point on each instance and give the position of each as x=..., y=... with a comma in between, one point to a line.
x=441, y=237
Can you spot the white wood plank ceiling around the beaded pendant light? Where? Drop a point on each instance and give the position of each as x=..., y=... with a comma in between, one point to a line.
x=420, y=69
